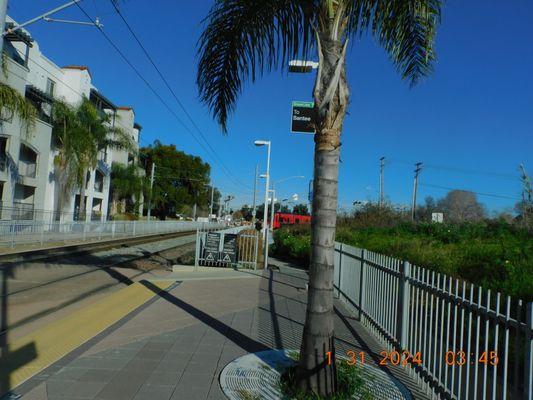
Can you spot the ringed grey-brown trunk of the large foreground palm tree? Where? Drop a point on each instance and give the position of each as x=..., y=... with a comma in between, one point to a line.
x=316, y=370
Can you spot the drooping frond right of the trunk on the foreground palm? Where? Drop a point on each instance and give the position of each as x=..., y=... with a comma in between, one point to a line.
x=405, y=28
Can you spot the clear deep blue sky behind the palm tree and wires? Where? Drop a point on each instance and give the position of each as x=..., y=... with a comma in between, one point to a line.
x=472, y=116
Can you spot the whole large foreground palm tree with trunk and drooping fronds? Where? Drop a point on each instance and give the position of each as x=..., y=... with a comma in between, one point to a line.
x=244, y=38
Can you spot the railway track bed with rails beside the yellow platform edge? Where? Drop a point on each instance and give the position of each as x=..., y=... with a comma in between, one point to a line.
x=42, y=286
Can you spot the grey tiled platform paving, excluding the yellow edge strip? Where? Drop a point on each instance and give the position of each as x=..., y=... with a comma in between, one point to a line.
x=176, y=344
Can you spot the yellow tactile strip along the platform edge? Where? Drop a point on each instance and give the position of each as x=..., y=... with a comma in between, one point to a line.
x=53, y=341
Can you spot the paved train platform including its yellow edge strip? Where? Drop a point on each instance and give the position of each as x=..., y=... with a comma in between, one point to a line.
x=169, y=338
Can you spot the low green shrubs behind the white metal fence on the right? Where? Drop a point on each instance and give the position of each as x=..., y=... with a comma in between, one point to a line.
x=493, y=254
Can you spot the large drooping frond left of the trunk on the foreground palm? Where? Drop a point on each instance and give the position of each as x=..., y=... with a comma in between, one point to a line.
x=243, y=39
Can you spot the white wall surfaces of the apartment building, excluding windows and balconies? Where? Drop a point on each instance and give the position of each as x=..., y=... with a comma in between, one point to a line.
x=71, y=84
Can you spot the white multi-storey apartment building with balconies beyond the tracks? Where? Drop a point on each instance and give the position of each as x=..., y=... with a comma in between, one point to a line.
x=28, y=187
